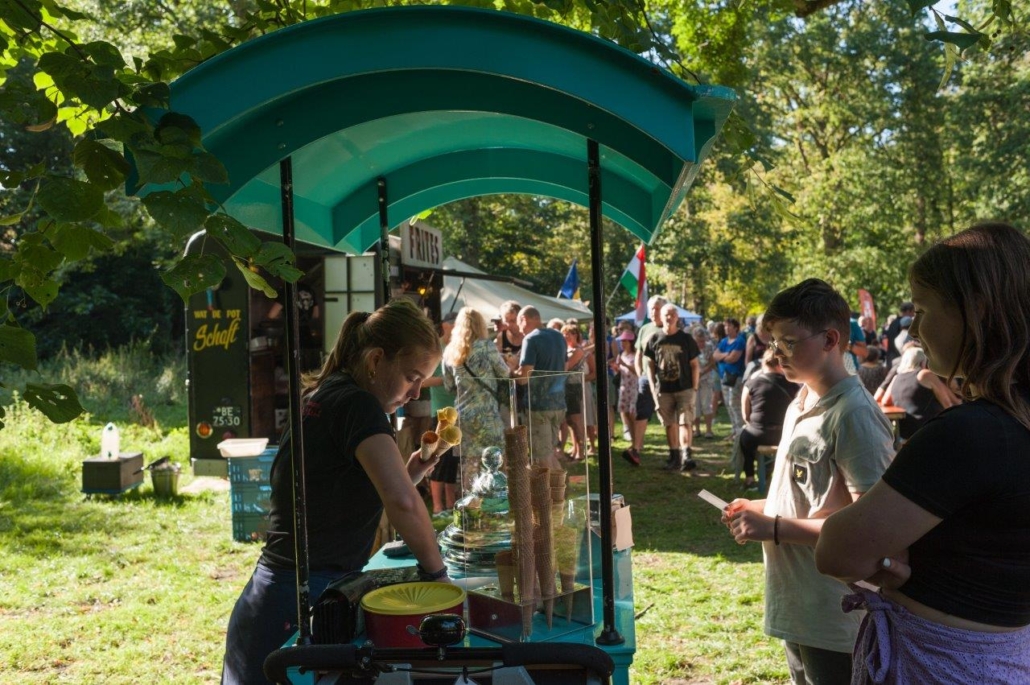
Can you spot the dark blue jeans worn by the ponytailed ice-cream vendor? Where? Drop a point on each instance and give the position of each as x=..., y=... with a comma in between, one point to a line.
x=264, y=619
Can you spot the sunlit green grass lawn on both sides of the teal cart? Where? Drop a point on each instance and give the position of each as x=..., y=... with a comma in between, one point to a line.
x=136, y=589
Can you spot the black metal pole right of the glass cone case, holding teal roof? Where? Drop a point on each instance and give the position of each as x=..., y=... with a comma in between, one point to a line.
x=609, y=634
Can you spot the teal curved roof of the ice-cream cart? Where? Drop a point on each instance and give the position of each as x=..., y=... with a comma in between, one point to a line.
x=444, y=104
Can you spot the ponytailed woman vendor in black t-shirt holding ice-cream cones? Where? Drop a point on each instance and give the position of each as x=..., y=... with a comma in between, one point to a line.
x=353, y=470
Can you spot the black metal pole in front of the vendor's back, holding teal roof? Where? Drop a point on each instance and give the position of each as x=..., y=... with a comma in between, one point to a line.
x=296, y=425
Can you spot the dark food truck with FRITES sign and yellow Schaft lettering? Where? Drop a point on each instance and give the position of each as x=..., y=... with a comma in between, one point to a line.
x=236, y=351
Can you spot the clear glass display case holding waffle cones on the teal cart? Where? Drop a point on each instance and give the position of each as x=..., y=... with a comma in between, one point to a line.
x=520, y=539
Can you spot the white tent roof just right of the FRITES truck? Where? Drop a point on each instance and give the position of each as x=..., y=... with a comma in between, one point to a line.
x=487, y=296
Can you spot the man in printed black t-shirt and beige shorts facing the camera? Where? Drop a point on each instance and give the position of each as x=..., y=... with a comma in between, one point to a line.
x=671, y=361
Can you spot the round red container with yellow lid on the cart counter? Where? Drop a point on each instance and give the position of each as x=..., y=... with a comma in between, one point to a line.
x=391, y=610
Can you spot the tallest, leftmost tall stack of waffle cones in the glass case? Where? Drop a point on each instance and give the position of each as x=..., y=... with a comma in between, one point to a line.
x=521, y=504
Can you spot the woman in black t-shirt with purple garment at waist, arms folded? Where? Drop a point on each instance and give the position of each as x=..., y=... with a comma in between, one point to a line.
x=946, y=533
